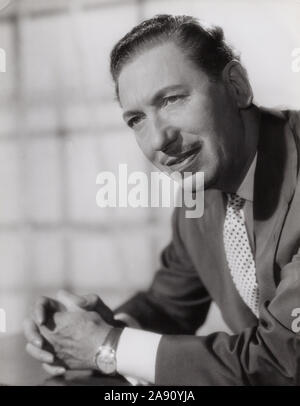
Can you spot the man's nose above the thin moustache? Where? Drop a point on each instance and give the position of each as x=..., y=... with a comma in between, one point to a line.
x=164, y=135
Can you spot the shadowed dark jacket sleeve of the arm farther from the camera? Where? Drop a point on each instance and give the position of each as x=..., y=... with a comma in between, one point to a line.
x=176, y=302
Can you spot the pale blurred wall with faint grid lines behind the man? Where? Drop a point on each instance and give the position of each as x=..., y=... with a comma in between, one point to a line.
x=60, y=127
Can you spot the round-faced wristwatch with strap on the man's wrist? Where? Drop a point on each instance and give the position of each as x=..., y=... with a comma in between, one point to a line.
x=105, y=358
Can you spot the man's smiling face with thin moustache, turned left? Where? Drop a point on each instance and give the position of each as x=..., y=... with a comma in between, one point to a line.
x=183, y=122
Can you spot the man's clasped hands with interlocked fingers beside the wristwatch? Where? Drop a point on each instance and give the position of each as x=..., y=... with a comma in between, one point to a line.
x=65, y=333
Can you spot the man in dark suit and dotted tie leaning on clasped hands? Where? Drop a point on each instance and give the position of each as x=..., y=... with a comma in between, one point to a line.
x=189, y=102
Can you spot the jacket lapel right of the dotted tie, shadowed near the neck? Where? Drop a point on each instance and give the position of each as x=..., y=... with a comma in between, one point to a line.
x=274, y=185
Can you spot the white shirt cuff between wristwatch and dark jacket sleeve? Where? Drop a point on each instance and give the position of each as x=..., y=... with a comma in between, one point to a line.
x=136, y=354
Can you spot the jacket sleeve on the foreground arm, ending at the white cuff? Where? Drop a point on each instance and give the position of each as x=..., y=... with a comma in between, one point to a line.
x=268, y=354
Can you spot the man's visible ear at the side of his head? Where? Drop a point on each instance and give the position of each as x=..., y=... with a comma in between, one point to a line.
x=236, y=79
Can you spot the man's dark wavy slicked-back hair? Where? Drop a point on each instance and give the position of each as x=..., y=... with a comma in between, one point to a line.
x=206, y=47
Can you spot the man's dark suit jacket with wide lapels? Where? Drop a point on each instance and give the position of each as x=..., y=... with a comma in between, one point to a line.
x=194, y=272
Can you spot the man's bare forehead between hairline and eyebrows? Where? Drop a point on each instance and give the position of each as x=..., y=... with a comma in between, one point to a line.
x=154, y=69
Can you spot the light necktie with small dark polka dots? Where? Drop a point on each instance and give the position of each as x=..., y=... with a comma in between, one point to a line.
x=238, y=253
